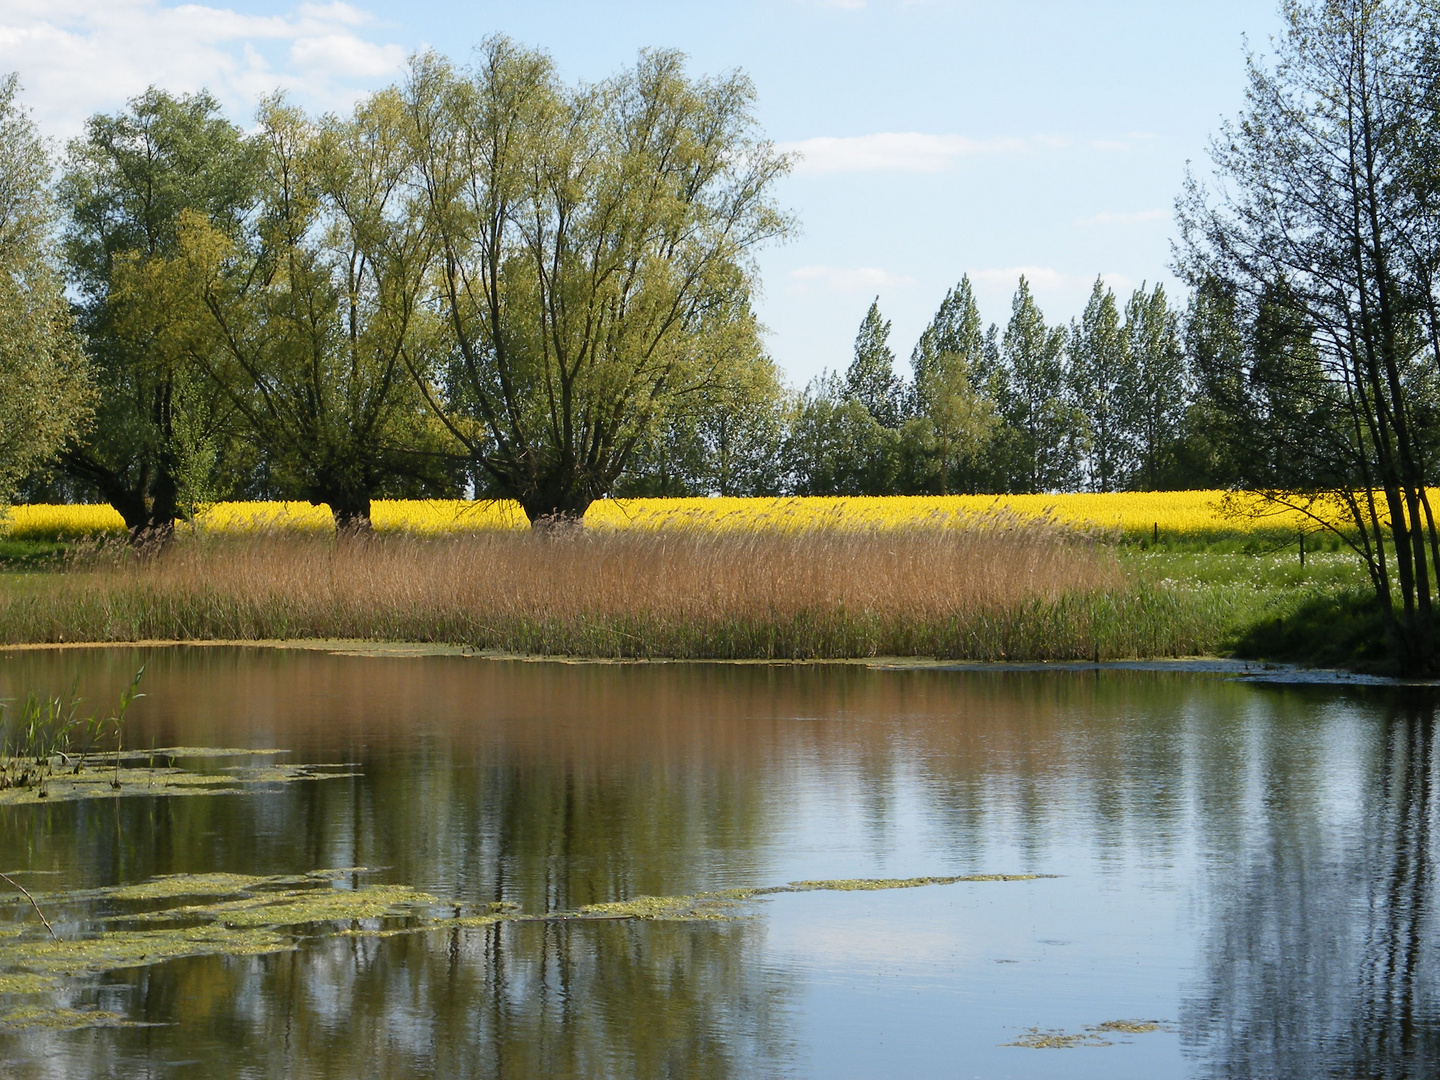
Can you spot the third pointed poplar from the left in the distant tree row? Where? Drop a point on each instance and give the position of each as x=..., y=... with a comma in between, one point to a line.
x=1043, y=430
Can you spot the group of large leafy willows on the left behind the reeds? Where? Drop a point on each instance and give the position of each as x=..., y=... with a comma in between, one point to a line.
x=482, y=280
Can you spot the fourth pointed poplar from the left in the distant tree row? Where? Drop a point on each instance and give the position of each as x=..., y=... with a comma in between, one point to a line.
x=1104, y=379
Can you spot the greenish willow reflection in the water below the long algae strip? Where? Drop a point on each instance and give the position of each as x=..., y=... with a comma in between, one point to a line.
x=558, y=1000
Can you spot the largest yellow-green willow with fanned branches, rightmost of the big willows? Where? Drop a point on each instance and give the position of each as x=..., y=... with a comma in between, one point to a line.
x=595, y=257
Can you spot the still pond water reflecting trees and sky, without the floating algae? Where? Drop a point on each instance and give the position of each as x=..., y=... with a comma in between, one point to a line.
x=1251, y=868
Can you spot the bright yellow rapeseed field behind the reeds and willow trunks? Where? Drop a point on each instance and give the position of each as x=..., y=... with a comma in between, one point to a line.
x=1173, y=513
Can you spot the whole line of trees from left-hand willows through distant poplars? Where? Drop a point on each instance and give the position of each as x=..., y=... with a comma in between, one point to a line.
x=486, y=282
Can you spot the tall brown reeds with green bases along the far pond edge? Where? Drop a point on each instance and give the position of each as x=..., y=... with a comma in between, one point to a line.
x=1003, y=588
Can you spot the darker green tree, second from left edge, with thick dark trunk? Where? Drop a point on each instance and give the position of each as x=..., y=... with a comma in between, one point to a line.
x=127, y=185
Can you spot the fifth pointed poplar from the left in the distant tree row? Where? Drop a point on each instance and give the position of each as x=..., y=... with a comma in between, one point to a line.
x=1158, y=388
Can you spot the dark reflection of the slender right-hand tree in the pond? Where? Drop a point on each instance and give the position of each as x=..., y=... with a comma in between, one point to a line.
x=1323, y=951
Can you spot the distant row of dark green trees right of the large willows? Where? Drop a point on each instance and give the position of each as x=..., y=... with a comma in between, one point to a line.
x=1135, y=397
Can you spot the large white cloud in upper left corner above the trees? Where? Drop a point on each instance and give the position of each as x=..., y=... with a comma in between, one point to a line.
x=78, y=57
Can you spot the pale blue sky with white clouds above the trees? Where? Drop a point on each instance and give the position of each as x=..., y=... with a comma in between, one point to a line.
x=935, y=138
